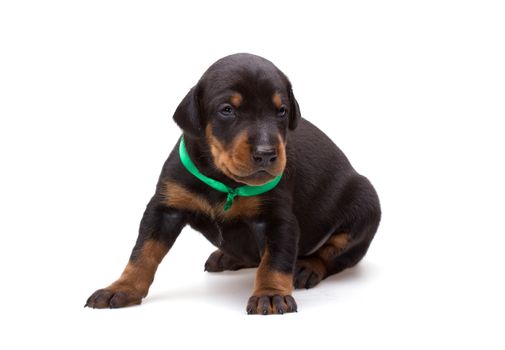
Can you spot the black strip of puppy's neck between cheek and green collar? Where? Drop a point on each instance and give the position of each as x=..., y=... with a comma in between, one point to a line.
x=200, y=154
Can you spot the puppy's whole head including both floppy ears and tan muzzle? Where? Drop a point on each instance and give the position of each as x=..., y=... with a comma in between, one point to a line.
x=242, y=107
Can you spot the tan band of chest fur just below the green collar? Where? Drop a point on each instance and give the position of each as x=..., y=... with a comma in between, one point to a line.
x=179, y=197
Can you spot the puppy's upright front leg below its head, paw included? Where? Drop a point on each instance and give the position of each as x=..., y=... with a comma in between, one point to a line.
x=274, y=278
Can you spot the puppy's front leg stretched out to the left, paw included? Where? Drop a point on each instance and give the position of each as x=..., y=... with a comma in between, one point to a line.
x=159, y=229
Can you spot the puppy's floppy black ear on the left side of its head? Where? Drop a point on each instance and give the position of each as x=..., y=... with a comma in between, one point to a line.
x=187, y=114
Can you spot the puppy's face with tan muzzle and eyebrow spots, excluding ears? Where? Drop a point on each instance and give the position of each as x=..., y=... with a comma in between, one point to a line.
x=247, y=122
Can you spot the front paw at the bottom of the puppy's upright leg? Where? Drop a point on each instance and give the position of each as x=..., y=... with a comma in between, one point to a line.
x=267, y=305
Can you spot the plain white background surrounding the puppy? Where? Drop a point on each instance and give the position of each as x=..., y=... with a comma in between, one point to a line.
x=412, y=92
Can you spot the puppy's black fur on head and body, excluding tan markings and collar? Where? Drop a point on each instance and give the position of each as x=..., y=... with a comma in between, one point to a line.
x=320, y=193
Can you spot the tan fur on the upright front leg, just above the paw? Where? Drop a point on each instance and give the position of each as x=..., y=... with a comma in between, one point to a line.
x=269, y=282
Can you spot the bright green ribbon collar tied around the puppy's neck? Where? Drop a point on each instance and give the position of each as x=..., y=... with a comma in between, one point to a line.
x=245, y=191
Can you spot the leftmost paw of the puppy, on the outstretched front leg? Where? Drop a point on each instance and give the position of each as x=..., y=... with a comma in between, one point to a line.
x=114, y=297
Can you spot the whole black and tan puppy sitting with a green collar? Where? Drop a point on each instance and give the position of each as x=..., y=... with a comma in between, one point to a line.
x=304, y=215
